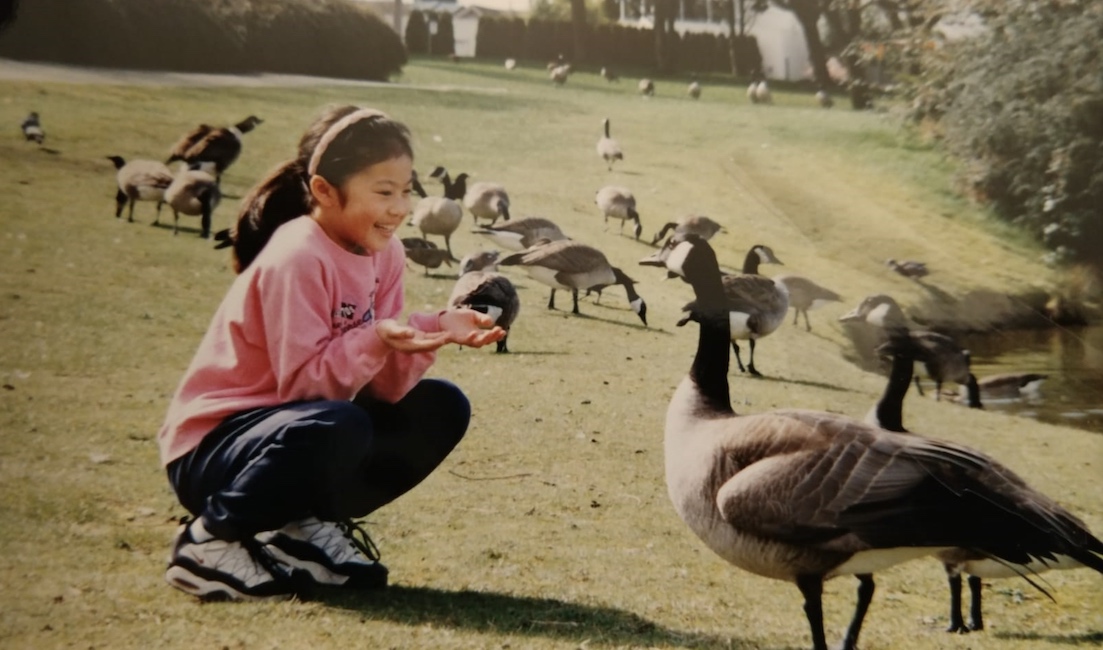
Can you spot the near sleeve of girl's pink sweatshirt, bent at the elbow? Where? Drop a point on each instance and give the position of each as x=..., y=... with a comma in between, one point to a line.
x=308, y=360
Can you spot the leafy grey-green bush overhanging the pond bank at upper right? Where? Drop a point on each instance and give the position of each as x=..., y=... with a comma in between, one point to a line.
x=1023, y=103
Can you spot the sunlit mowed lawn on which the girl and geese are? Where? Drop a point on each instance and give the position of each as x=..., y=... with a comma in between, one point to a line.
x=550, y=527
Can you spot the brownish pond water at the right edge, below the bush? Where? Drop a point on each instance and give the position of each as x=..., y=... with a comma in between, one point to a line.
x=1073, y=358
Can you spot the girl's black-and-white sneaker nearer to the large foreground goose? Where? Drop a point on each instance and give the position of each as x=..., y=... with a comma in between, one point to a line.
x=334, y=553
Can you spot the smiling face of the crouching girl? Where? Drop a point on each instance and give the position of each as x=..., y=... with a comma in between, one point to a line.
x=365, y=214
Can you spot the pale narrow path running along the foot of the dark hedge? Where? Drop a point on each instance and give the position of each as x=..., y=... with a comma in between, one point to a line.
x=76, y=74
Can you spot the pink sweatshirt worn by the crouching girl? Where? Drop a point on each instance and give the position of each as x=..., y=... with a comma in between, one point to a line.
x=297, y=325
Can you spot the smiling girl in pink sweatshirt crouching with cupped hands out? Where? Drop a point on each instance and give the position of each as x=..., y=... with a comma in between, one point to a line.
x=305, y=404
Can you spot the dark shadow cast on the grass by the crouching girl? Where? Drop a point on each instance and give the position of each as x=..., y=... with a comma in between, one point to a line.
x=504, y=614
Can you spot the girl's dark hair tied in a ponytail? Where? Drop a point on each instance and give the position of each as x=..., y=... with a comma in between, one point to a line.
x=284, y=195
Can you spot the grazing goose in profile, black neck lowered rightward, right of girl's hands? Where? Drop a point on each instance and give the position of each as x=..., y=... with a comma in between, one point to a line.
x=573, y=267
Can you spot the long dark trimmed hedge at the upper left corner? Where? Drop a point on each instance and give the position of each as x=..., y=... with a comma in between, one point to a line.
x=326, y=38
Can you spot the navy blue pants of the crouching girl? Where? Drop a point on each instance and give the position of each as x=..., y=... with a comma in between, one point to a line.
x=263, y=468
